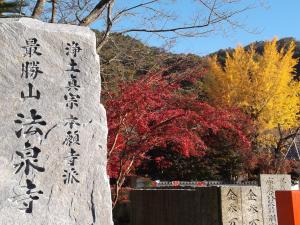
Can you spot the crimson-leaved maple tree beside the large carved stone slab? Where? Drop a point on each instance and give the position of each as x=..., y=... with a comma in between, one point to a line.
x=152, y=112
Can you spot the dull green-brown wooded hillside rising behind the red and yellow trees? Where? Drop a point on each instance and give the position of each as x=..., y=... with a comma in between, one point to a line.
x=125, y=58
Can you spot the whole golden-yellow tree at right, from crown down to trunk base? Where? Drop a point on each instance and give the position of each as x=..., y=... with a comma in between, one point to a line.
x=264, y=87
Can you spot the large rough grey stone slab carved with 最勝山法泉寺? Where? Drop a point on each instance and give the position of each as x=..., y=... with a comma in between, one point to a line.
x=53, y=128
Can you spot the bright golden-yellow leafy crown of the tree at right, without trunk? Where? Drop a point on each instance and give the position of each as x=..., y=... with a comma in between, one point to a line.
x=261, y=85
